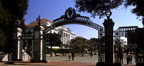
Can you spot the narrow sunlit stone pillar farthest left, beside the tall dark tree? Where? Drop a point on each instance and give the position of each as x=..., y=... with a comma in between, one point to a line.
x=17, y=56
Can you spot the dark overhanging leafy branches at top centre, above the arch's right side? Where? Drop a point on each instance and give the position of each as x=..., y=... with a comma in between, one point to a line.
x=97, y=7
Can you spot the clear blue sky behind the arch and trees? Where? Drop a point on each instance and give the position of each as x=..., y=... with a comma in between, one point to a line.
x=52, y=9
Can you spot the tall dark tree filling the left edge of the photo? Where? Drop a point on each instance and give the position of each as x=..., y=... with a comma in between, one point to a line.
x=10, y=12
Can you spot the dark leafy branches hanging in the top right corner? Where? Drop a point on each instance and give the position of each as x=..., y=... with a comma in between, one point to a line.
x=138, y=9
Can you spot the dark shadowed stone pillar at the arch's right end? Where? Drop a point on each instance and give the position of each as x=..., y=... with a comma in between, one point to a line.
x=108, y=25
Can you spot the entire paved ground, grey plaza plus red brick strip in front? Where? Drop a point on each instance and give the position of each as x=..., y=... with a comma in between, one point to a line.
x=64, y=61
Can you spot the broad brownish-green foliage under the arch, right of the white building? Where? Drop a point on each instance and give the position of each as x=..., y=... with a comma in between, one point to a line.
x=82, y=45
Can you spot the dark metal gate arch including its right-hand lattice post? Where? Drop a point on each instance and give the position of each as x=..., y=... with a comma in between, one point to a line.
x=70, y=17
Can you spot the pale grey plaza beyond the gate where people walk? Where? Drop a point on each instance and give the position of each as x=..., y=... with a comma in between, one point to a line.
x=85, y=59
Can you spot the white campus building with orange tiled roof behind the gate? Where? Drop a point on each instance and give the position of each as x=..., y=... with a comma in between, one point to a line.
x=66, y=33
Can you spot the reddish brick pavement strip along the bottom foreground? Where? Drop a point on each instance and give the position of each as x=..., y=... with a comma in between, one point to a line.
x=54, y=64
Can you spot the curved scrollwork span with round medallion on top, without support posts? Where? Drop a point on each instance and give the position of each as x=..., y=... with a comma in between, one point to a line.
x=71, y=17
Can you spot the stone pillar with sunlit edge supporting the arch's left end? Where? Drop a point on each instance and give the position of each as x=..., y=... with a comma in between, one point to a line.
x=39, y=54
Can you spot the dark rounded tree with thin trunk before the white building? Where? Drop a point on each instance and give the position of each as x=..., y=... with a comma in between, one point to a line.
x=53, y=39
